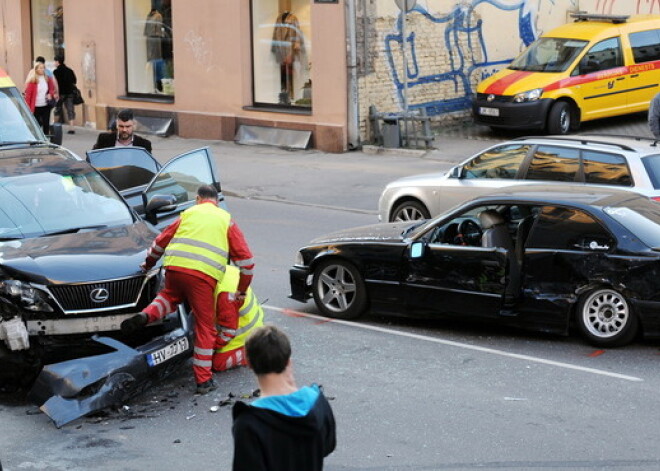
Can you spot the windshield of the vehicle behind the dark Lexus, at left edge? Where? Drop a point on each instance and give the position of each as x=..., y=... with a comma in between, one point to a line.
x=18, y=125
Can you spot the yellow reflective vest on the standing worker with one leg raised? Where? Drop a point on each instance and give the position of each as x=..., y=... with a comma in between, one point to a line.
x=200, y=242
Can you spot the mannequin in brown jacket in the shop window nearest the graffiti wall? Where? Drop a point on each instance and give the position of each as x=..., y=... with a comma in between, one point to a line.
x=287, y=45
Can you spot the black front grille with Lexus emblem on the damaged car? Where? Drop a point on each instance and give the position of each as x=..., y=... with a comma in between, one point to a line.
x=78, y=297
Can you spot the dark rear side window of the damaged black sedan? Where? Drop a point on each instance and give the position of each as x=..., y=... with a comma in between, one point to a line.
x=563, y=228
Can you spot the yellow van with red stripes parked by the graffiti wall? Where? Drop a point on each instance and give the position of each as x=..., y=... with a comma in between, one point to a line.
x=597, y=67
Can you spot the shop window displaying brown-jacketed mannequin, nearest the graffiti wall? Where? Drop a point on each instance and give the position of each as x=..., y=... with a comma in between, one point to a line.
x=282, y=53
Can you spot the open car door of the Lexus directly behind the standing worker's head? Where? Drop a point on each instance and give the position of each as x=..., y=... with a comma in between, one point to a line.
x=174, y=188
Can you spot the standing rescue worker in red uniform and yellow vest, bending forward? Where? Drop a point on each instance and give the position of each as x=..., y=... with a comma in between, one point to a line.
x=197, y=249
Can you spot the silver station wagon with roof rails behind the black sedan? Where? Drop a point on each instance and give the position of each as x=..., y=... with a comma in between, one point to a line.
x=624, y=162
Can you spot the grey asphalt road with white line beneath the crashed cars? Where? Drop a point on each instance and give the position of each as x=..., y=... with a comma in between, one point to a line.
x=407, y=395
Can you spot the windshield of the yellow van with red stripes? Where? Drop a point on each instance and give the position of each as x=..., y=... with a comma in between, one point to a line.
x=549, y=55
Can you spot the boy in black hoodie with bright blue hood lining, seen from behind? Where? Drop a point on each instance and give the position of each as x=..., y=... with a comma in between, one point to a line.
x=286, y=428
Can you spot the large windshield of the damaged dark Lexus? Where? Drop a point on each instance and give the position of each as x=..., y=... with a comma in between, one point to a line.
x=40, y=196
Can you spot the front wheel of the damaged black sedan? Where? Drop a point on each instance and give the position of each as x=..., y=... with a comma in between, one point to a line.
x=339, y=290
